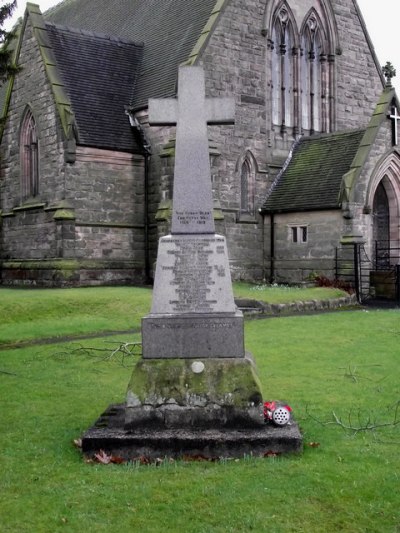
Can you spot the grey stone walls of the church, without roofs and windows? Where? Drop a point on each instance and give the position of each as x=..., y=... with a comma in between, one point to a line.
x=103, y=193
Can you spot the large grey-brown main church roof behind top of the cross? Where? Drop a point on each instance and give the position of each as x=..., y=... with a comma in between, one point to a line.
x=169, y=30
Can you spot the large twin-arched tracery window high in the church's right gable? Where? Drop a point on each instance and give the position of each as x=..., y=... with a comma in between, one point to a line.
x=302, y=71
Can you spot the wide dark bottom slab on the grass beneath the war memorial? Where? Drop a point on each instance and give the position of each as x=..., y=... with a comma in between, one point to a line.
x=108, y=434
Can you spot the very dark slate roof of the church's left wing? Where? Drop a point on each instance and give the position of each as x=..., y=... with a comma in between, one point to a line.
x=99, y=74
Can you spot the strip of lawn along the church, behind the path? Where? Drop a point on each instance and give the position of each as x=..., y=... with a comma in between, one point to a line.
x=46, y=313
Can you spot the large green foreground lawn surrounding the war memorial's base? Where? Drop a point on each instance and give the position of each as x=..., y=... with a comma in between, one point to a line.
x=345, y=363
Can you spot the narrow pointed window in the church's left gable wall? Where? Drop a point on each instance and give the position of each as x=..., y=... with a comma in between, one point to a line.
x=29, y=156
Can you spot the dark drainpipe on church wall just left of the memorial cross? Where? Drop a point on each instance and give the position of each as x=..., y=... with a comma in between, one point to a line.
x=135, y=124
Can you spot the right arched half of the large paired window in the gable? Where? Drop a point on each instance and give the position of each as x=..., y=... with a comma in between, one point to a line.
x=314, y=89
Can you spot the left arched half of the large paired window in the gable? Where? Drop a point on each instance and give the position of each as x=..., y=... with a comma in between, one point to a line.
x=283, y=68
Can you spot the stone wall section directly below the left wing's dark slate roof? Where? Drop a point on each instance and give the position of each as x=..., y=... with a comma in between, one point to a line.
x=107, y=191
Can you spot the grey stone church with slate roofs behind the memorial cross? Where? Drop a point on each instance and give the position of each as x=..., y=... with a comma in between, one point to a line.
x=310, y=167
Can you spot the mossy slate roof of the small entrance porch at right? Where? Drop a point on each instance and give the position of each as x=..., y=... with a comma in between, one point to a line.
x=312, y=177
